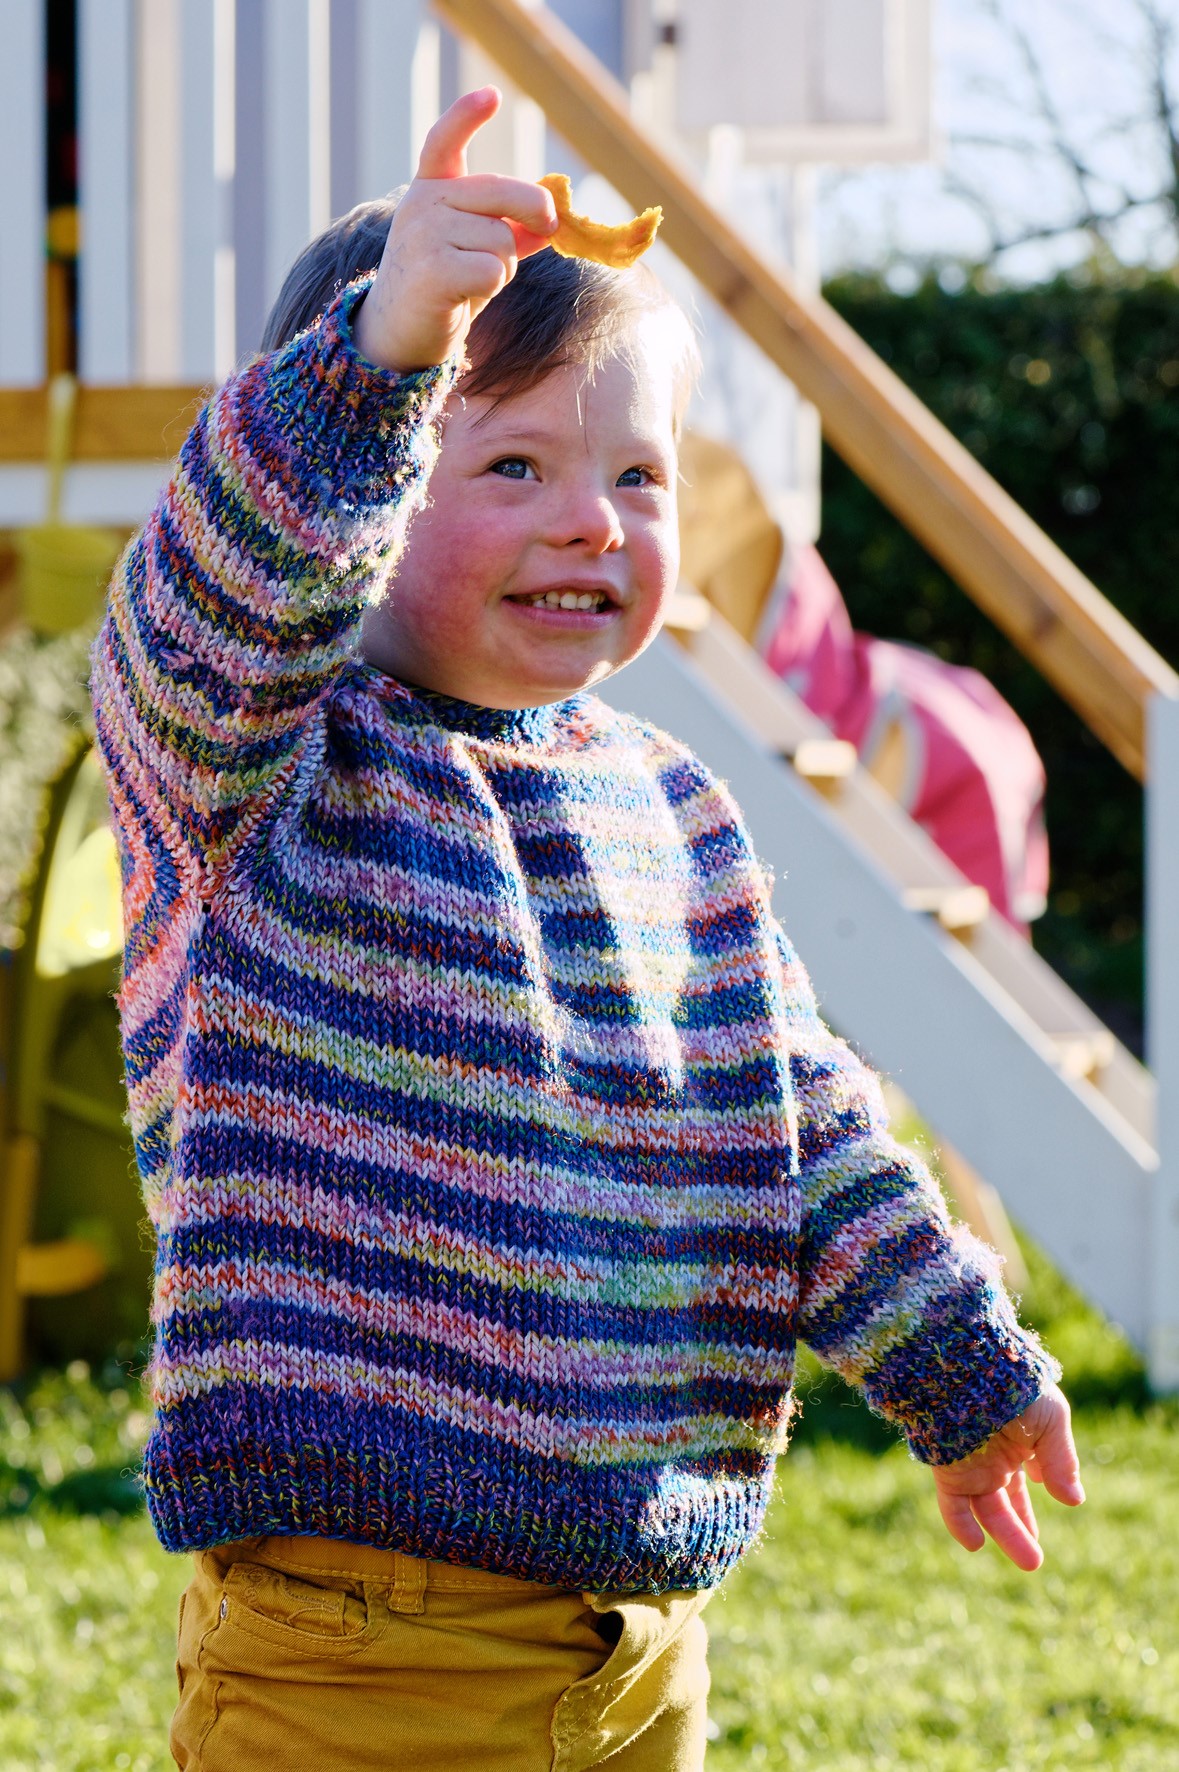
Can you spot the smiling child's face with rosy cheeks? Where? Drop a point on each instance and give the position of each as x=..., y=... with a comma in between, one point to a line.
x=563, y=492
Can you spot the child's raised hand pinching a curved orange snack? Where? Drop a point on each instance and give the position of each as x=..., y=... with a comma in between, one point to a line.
x=455, y=242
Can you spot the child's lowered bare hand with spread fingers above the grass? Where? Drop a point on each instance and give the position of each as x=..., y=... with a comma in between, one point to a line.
x=988, y=1491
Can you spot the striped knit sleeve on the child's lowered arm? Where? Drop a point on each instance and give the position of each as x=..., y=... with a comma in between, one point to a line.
x=902, y=1303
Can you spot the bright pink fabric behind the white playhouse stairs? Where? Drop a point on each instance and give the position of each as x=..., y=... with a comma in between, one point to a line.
x=972, y=777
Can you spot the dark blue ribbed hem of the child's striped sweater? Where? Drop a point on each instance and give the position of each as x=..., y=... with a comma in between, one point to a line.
x=575, y=1527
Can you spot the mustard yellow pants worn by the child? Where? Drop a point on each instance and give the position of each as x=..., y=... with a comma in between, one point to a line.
x=336, y=1658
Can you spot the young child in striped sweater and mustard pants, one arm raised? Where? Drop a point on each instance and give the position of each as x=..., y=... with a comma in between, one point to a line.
x=496, y=1151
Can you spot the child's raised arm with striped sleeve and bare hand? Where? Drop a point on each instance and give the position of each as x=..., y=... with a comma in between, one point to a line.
x=237, y=607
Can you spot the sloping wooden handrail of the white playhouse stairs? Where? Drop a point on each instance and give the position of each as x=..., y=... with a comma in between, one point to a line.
x=980, y=534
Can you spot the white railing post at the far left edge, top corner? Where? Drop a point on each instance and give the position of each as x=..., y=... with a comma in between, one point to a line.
x=22, y=196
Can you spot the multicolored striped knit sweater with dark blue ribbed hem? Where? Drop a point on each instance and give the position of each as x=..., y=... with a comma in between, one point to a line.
x=494, y=1146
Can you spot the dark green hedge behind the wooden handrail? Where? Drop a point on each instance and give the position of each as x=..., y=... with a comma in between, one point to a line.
x=1070, y=396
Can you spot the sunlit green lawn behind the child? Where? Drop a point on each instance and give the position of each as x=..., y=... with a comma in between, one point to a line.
x=857, y=1636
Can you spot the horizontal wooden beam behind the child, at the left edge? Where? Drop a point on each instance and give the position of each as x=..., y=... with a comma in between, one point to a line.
x=111, y=424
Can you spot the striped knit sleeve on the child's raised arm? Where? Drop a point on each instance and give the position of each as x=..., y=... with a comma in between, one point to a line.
x=237, y=607
